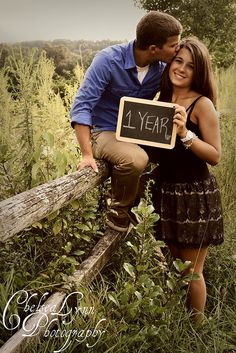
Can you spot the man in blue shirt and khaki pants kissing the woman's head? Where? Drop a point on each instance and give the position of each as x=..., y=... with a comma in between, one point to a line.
x=133, y=70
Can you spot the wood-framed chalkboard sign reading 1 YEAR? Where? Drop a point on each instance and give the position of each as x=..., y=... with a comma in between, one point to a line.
x=146, y=122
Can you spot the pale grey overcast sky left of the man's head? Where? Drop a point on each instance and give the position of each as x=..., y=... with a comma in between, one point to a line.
x=25, y=20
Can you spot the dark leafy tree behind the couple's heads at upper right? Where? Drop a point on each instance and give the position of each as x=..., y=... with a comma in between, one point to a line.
x=213, y=22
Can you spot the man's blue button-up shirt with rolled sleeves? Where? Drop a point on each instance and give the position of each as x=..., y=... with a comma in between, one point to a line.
x=112, y=75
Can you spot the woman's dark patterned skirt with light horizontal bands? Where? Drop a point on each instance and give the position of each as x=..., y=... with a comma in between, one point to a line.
x=190, y=213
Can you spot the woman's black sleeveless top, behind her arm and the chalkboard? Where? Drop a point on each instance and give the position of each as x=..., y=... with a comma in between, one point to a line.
x=179, y=164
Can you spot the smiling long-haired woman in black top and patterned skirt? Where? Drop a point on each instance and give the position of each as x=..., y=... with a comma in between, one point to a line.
x=188, y=199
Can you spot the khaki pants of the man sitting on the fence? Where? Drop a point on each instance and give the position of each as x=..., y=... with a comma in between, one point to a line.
x=128, y=162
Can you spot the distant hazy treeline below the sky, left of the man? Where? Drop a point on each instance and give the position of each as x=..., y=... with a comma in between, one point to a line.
x=65, y=53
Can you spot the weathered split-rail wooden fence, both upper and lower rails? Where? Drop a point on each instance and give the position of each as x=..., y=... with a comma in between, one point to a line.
x=22, y=210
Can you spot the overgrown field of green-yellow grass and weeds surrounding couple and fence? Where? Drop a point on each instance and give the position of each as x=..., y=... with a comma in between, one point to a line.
x=137, y=303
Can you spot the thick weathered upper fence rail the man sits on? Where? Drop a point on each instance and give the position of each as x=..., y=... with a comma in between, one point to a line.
x=22, y=210
